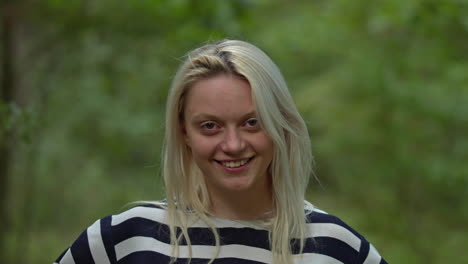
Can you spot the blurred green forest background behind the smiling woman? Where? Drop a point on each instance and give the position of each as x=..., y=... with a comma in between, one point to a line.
x=383, y=86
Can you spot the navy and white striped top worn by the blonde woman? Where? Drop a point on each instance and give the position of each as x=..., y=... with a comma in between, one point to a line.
x=141, y=235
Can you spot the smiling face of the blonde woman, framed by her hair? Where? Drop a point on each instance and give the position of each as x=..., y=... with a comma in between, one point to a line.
x=224, y=136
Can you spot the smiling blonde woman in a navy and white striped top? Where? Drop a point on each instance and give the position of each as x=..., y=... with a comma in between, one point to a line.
x=237, y=161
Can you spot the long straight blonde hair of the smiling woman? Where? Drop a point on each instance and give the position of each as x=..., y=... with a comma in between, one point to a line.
x=187, y=195
